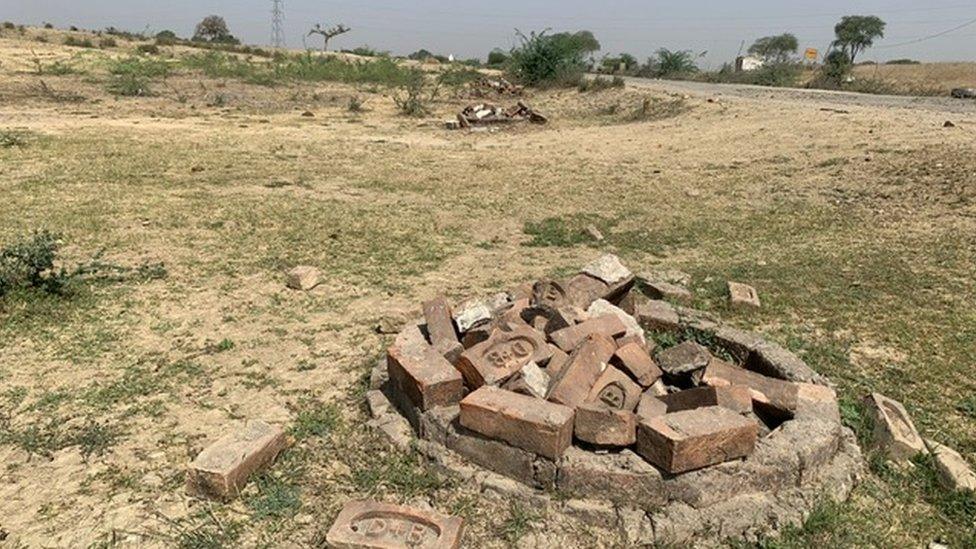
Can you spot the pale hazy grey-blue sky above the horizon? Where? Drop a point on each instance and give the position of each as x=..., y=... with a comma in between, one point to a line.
x=471, y=29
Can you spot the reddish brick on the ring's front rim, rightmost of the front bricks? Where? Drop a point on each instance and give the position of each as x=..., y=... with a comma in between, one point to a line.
x=689, y=440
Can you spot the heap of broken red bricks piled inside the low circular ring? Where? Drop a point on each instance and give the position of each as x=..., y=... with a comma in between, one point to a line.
x=564, y=362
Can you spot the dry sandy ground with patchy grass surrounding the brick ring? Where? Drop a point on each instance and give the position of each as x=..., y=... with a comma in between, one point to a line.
x=857, y=227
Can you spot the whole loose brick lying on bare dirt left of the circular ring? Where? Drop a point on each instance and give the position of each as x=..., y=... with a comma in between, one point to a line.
x=222, y=469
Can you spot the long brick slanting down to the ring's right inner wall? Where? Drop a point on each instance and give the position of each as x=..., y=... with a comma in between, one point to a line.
x=771, y=396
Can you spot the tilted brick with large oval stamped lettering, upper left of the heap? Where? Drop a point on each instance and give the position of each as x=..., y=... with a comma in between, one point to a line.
x=495, y=360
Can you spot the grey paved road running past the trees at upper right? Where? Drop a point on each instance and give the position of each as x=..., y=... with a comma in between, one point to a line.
x=824, y=98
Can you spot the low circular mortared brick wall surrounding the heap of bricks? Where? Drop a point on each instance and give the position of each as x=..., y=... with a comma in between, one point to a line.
x=799, y=458
